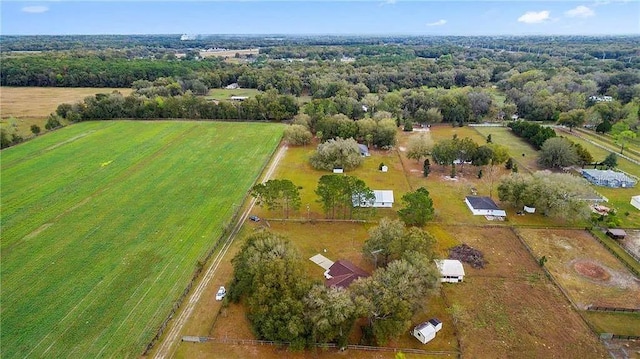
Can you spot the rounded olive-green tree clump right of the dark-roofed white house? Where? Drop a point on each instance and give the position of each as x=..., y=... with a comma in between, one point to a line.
x=558, y=195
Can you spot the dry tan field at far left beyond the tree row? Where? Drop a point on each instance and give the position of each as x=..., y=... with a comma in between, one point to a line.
x=41, y=101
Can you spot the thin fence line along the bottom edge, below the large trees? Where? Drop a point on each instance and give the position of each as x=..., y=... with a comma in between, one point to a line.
x=234, y=341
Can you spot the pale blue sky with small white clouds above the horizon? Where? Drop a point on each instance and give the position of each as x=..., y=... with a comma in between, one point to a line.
x=364, y=17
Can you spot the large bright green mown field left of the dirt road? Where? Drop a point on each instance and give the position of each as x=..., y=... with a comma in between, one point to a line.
x=103, y=224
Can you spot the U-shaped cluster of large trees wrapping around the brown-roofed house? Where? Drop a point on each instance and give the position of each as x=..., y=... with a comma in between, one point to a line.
x=286, y=305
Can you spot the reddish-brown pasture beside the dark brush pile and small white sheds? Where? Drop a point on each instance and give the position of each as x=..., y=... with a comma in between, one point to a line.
x=500, y=309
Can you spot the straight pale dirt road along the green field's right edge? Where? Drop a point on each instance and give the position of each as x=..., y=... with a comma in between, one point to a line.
x=169, y=343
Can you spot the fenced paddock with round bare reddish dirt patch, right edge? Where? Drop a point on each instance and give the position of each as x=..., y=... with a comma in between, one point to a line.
x=588, y=272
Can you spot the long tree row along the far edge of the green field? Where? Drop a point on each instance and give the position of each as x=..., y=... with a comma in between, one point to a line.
x=269, y=106
